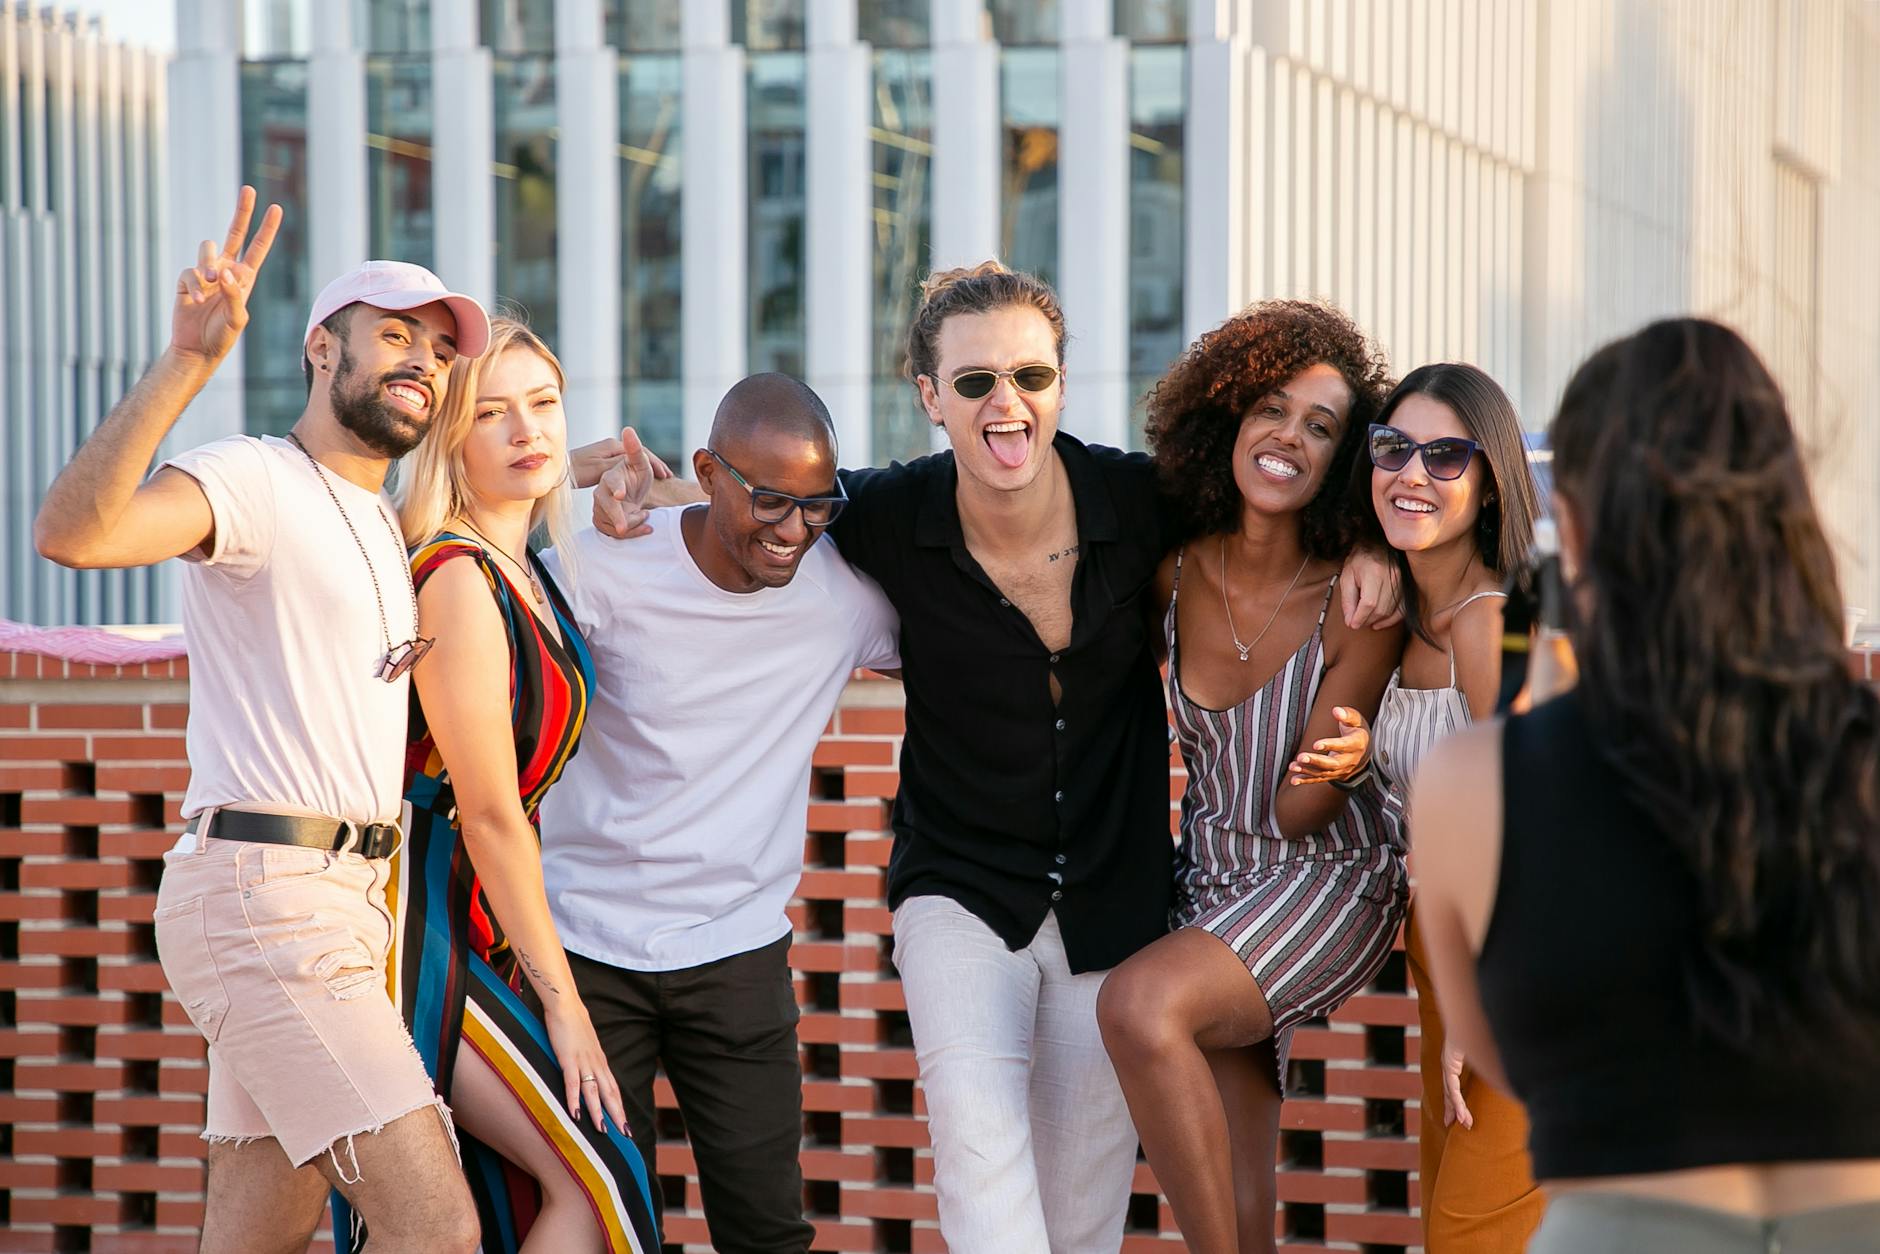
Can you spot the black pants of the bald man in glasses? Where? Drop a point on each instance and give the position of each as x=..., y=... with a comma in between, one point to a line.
x=727, y=1035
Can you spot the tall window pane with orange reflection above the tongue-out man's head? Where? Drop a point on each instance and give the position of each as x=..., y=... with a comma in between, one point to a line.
x=1029, y=127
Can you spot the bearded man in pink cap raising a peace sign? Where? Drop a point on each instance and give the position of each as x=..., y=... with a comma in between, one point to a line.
x=302, y=623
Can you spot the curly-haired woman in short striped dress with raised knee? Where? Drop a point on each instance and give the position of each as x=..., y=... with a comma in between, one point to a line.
x=1287, y=898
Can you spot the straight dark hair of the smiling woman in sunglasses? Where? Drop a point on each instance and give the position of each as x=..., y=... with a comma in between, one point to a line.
x=1505, y=525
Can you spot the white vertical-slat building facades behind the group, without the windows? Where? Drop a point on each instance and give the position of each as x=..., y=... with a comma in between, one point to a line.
x=1503, y=183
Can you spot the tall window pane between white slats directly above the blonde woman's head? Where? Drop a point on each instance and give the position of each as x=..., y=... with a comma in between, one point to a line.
x=525, y=189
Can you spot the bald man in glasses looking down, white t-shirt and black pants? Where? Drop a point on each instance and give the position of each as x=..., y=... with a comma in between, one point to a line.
x=674, y=841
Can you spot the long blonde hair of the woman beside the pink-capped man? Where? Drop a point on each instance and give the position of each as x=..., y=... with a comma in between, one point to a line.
x=433, y=486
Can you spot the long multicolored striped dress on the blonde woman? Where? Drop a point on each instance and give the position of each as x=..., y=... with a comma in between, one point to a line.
x=452, y=971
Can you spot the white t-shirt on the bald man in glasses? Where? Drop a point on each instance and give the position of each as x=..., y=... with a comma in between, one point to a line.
x=676, y=836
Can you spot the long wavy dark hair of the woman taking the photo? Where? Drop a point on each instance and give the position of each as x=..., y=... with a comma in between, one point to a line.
x=1715, y=676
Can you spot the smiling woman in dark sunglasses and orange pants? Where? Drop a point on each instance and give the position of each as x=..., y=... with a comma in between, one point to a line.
x=1449, y=488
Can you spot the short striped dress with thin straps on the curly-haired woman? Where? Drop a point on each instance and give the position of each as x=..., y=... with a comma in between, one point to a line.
x=1311, y=917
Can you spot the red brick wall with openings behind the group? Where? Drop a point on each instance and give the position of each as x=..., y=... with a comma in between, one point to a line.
x=102, y=1076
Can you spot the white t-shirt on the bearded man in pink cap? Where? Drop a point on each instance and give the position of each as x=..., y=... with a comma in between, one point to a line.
x=285, y=638
